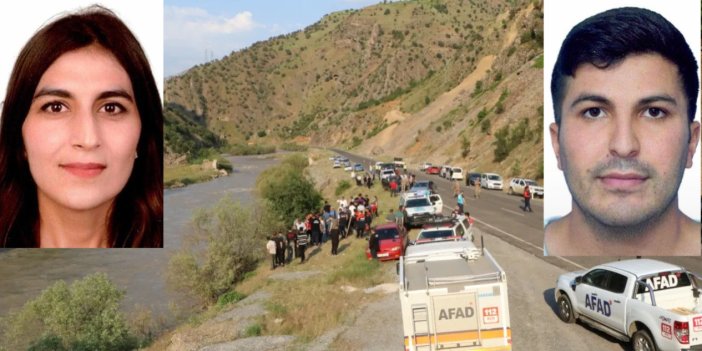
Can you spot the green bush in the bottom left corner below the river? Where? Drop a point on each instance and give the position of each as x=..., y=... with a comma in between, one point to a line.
x=82, y=316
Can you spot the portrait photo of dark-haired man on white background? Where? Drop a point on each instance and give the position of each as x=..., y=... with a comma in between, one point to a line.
x=621, y=93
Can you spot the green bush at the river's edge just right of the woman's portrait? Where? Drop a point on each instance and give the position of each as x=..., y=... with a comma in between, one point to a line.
x=226, y=243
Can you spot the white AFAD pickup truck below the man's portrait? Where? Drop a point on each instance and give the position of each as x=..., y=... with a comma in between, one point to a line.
x=653, y=304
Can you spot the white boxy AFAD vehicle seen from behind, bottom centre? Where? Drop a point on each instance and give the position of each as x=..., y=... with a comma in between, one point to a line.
x=453, y=296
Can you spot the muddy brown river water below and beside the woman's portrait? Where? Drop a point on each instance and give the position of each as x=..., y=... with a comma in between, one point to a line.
x=24, y=273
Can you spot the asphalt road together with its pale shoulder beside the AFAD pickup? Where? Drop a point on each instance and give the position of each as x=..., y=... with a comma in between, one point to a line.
x=515, y=238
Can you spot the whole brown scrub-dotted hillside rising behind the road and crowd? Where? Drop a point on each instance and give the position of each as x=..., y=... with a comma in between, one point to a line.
x=434, y=80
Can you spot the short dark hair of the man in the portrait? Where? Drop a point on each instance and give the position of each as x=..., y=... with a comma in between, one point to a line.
x=609, y=37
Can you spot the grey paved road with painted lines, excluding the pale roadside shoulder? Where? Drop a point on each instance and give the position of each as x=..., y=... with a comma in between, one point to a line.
x=500, y=215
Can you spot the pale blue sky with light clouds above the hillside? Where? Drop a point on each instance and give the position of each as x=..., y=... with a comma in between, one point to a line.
x=196, y=31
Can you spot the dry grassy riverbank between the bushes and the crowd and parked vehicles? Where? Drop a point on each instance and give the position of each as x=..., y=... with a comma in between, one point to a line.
x=300, y=306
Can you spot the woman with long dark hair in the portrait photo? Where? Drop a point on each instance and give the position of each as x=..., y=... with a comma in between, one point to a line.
x=81, y=139
